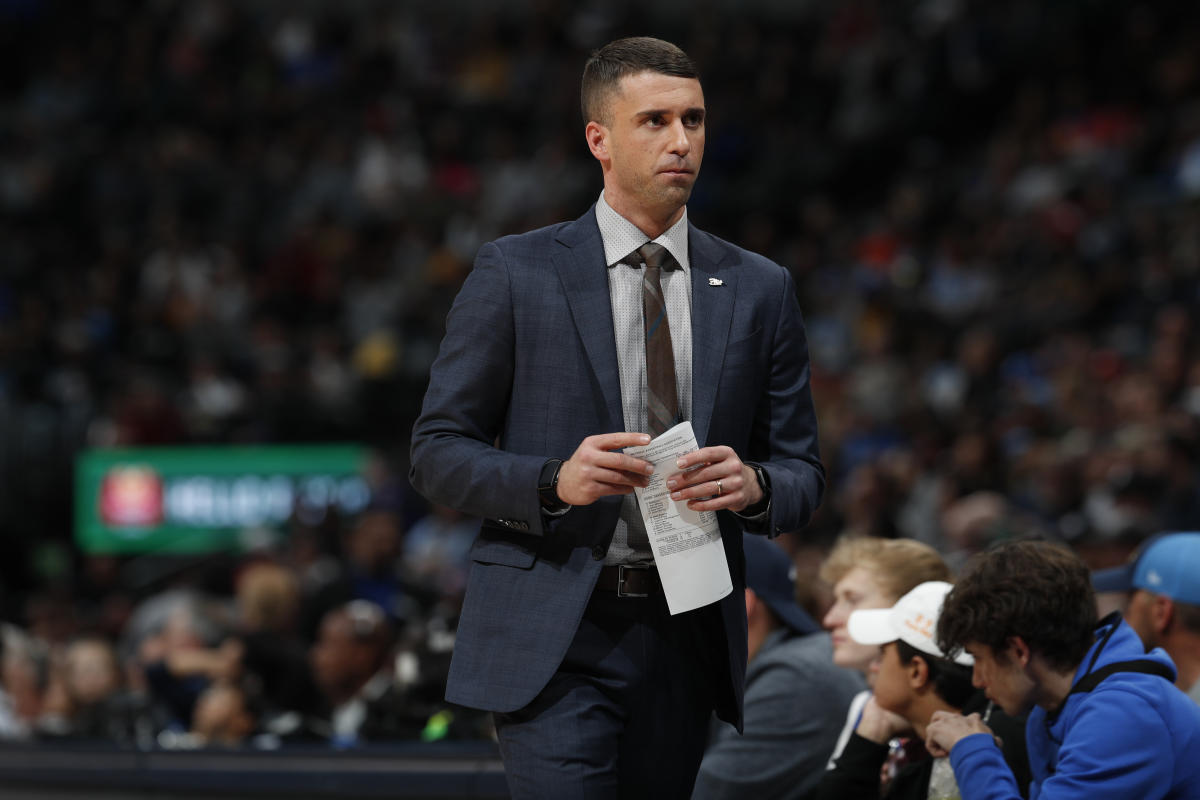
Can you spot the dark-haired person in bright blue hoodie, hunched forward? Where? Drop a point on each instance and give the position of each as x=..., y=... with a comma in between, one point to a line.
x=1105, y=718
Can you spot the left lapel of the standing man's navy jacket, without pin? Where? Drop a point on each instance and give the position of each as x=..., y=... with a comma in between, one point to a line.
x=581, y=269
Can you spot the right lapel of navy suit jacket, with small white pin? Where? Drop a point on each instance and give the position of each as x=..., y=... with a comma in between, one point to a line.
x=712, y=309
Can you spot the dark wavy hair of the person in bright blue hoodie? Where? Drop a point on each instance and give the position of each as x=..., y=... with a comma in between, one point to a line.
x=1037, y=591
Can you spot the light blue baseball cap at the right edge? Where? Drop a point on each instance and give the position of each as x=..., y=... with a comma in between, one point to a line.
x=1166, y=566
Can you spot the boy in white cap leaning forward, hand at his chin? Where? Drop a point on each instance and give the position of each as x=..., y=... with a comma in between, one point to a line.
x=914, y=681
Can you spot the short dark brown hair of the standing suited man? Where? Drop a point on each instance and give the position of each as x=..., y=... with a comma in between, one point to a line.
x=628, y=57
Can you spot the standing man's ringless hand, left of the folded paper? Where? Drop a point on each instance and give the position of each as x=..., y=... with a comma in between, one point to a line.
x=597, y=471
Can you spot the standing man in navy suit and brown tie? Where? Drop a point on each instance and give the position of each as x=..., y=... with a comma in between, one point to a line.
x=543, y=380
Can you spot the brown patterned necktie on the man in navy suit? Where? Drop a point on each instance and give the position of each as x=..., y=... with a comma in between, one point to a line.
x=662, y=398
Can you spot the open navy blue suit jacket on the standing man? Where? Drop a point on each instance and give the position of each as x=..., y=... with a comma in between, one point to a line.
x=527, y=371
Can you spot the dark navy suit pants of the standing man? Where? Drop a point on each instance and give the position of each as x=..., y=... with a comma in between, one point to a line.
x=627, y=714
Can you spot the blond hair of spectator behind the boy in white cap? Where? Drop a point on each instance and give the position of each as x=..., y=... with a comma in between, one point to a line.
x=899, y=566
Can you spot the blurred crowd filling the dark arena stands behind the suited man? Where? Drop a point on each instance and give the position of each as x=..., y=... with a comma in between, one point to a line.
x=227, y=222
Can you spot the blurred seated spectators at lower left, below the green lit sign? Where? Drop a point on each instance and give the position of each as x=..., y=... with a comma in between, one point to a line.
x=278, y=647
